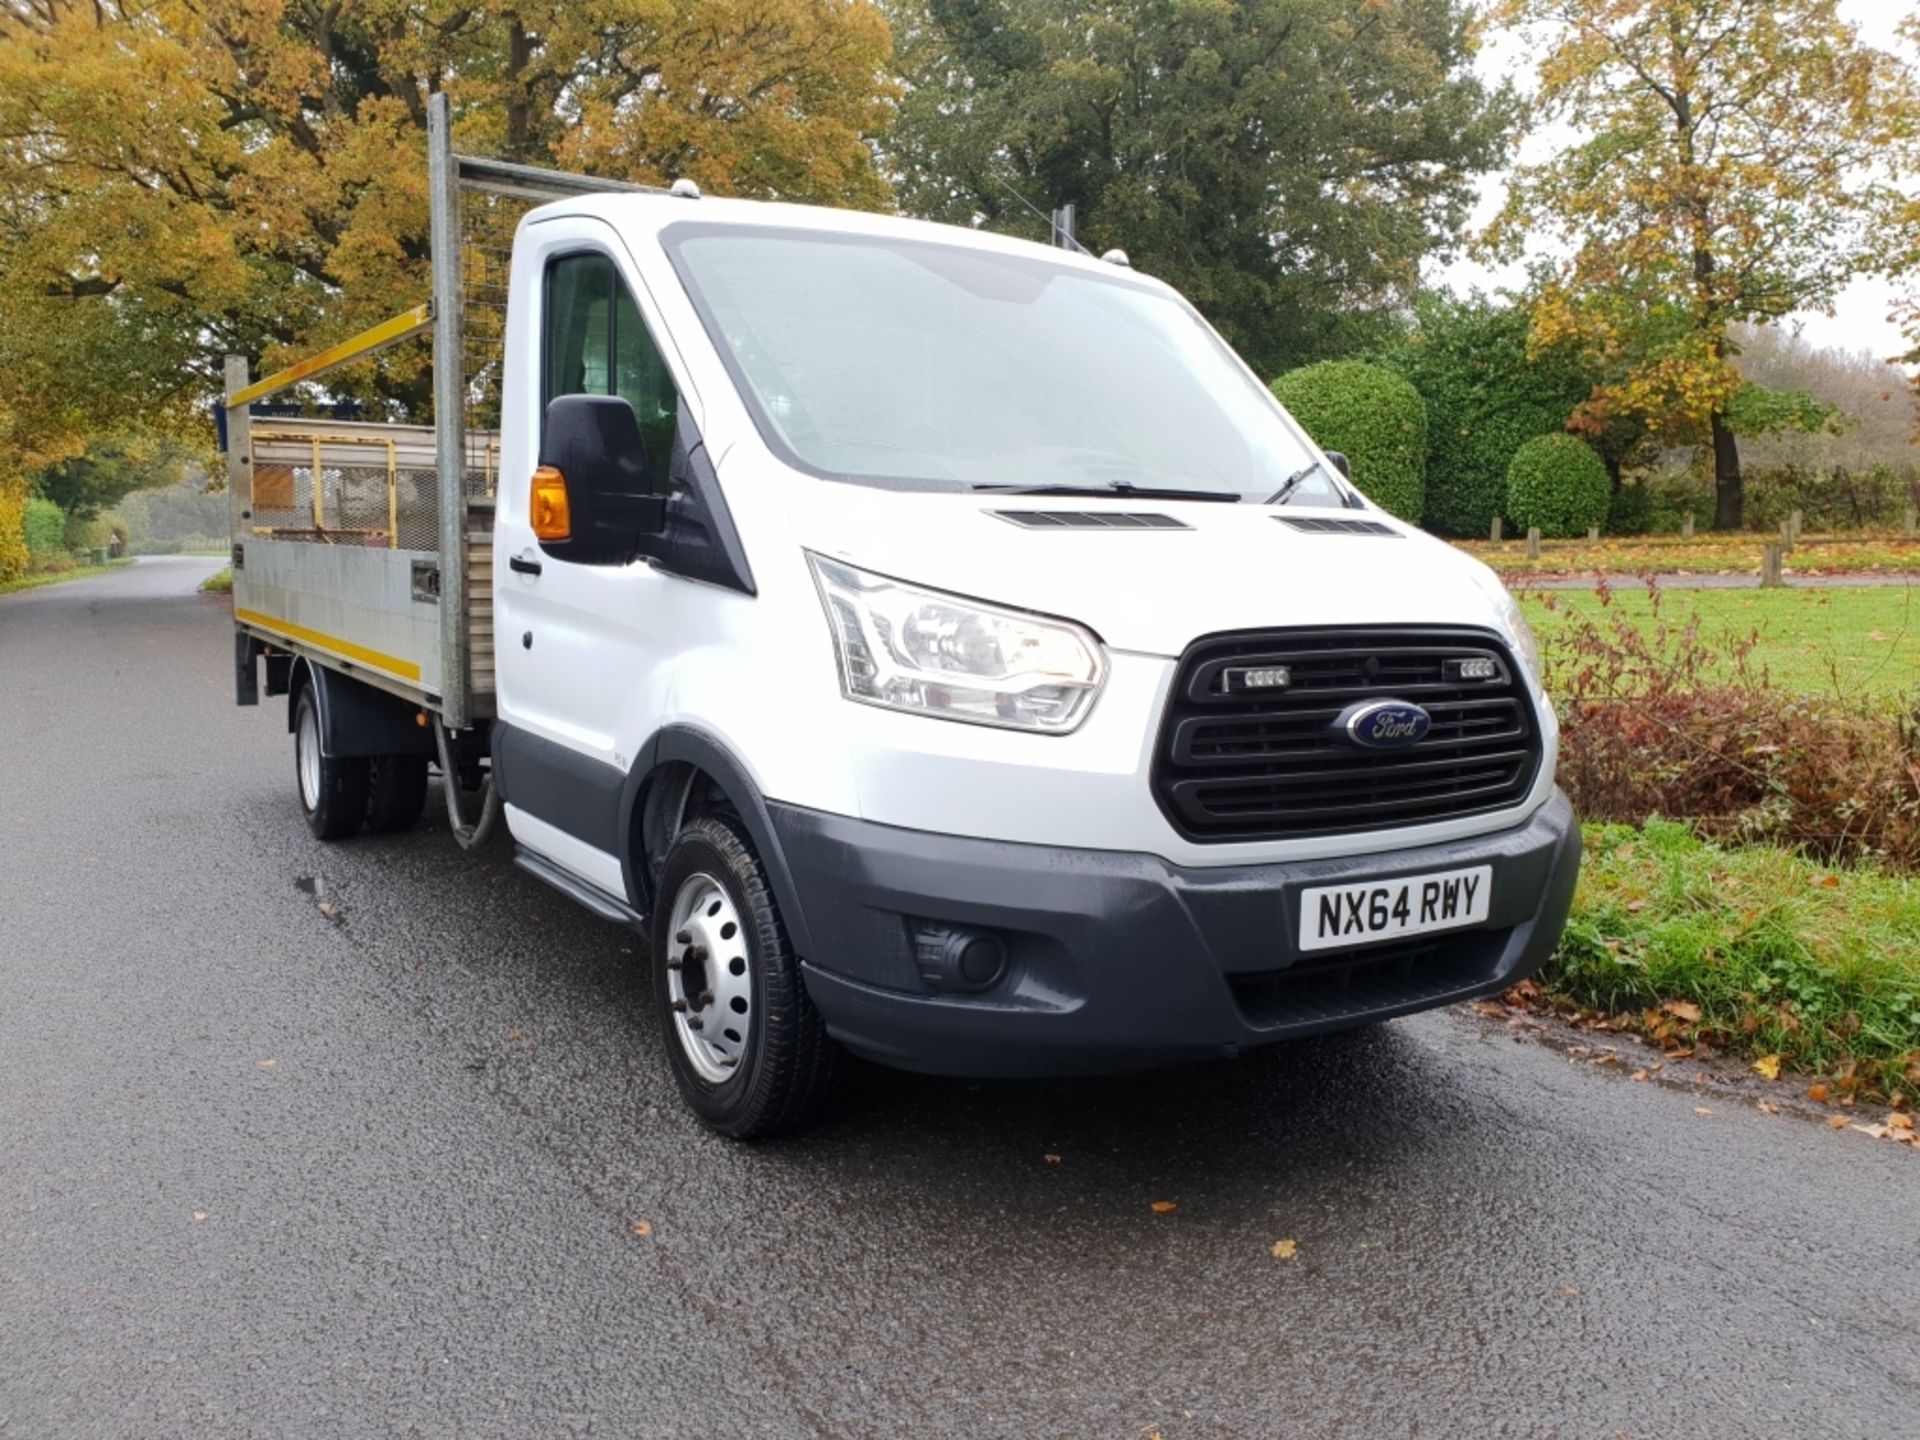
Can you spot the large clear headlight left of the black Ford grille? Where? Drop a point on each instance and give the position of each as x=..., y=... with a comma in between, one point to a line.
x=957, y=660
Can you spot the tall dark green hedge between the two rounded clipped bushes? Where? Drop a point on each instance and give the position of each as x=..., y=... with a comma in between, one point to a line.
x=1485, y=398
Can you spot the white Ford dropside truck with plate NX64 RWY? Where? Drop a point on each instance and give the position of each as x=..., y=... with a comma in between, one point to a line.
x=942, y=648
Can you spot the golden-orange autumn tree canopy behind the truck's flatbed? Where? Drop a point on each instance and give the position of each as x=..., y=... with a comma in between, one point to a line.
x=181, y=180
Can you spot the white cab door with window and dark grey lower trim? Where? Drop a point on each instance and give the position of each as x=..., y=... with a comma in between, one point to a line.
x=581, y=648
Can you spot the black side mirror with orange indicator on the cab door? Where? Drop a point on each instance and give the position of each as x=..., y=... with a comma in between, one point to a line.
x=590, y=496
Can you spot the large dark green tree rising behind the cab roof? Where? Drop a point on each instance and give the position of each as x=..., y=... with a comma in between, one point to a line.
x=1287, y=164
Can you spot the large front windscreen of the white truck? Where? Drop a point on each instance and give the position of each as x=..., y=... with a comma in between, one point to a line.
x=930, y=366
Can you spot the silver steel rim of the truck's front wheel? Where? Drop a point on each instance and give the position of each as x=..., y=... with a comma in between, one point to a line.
x=709, y=978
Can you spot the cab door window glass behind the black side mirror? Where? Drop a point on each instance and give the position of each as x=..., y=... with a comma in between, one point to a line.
x=596, y=345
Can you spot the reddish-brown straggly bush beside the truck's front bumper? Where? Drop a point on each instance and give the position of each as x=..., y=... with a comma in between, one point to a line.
x=1660, y=721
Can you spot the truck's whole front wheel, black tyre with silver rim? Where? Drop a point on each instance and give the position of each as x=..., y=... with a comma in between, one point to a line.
x=748, y=1049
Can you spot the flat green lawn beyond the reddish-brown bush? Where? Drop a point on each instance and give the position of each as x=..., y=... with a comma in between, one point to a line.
x=1815, y=642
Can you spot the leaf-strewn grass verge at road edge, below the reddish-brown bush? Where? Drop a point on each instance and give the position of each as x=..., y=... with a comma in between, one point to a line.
x=1752, y=951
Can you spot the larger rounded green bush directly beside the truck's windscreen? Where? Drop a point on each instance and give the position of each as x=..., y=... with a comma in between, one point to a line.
x=1370, y=416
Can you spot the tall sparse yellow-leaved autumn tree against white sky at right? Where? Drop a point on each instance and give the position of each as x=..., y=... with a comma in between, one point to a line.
x=1731, y=166
